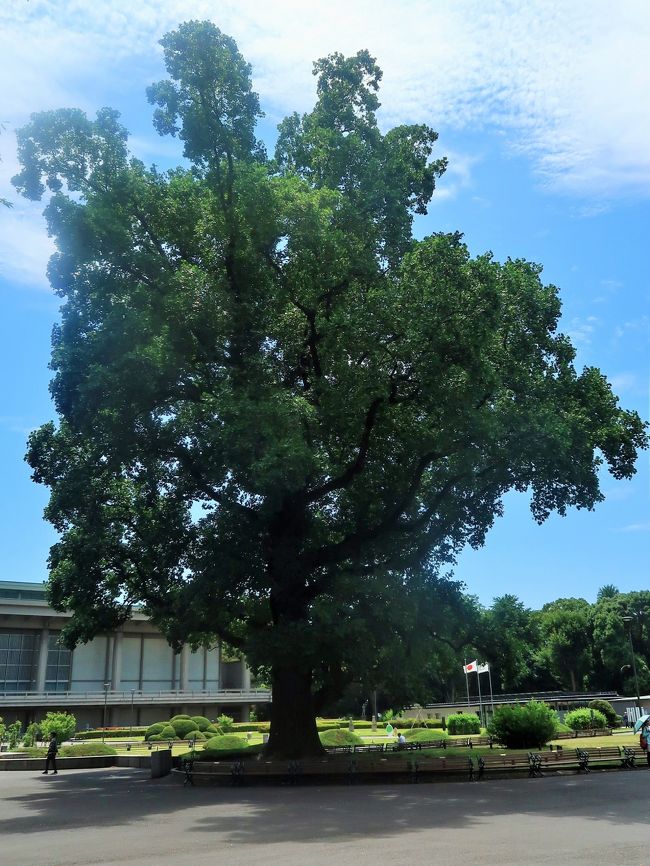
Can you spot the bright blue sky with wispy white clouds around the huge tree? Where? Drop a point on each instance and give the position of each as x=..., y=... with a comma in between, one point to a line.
x=542, y=109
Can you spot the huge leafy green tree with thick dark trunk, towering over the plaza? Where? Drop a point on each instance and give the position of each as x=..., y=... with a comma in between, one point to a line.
x=274, y=404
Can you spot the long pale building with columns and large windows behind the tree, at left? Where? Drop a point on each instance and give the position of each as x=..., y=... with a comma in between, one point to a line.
x=129, y=677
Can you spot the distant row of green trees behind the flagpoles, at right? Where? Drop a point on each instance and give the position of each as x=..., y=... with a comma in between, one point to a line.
x=569, y=644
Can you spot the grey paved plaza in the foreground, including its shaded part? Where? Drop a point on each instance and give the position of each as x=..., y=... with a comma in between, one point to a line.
x=121, y=816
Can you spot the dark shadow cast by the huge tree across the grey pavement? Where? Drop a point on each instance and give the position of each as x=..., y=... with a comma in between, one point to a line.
x=121, y=797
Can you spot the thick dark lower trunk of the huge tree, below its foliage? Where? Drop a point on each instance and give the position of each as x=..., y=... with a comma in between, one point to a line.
x=293, y=725
